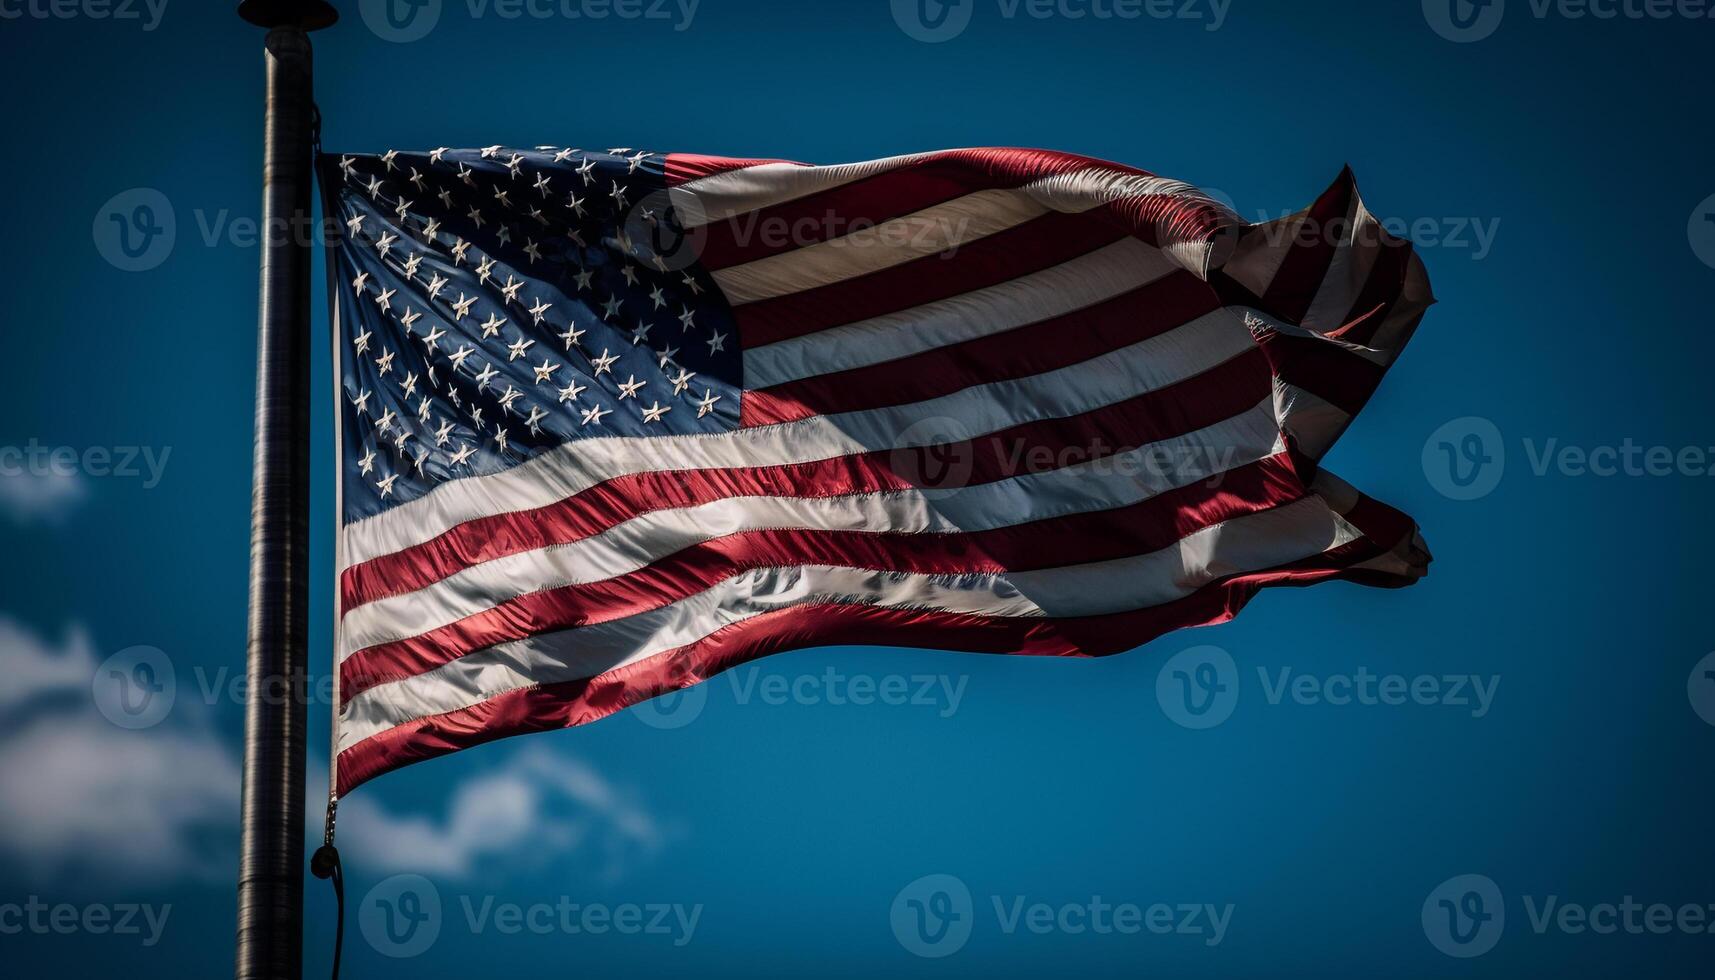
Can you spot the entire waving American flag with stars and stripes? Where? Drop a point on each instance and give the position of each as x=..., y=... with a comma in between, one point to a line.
x=613, y=423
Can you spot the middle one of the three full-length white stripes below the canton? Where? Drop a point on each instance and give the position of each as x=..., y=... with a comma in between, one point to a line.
x=1121, y=480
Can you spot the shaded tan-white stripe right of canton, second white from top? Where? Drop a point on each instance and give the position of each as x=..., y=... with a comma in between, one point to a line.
x=876, y=248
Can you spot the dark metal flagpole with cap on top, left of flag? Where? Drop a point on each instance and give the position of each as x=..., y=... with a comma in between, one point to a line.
x=272, y=852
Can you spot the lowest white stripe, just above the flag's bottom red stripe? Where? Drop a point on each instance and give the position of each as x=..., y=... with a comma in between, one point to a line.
x=1244, y=545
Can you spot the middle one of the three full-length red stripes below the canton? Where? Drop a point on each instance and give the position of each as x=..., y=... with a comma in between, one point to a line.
x=1078, y=540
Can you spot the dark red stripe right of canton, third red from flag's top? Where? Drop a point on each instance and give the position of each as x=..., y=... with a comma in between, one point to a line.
x=1030, y=248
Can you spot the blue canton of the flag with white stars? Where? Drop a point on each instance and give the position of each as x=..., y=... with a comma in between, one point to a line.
x=496, y=305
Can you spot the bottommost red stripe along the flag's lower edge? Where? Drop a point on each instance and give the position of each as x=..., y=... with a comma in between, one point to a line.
x=584, y=701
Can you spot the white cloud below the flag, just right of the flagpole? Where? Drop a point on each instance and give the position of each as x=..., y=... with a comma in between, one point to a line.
x=539, y=806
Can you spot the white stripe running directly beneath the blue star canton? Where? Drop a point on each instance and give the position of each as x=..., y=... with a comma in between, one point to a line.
x=575, y=468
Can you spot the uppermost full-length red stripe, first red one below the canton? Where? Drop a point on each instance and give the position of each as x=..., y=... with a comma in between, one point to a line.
x=1174, y=411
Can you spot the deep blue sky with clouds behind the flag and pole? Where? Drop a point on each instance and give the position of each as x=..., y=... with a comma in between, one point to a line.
x=1556, y=741
